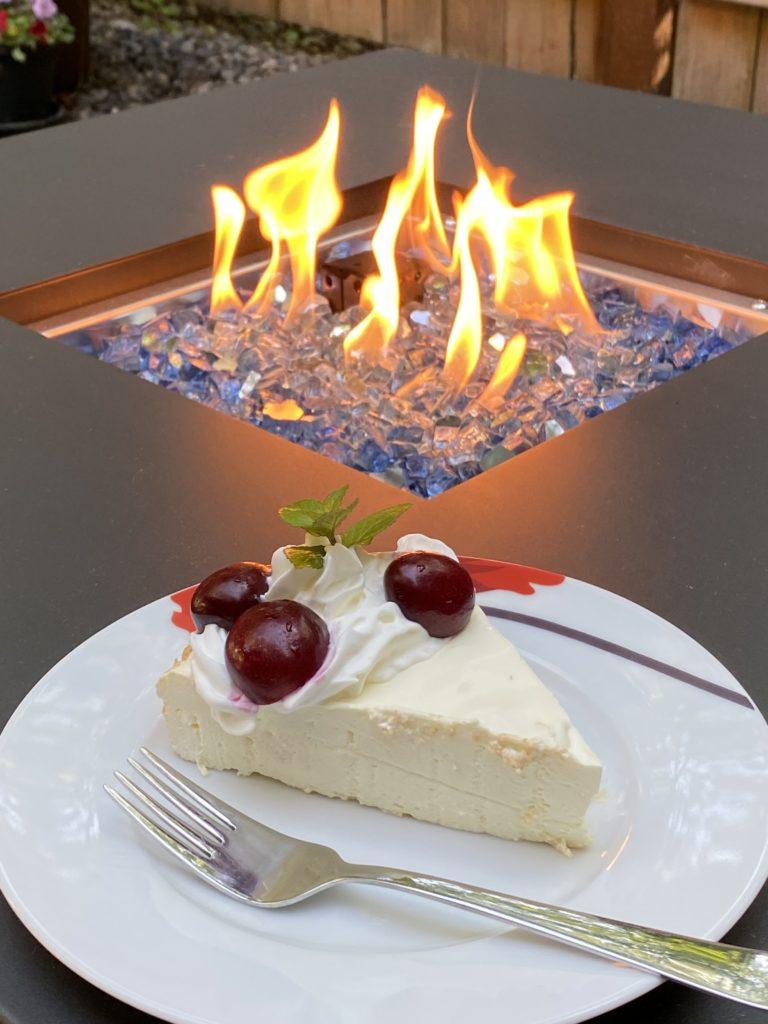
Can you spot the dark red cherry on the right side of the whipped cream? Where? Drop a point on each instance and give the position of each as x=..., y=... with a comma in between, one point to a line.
x=433, y=590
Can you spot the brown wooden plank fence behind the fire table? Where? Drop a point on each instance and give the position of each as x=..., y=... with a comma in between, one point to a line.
x=706, y=51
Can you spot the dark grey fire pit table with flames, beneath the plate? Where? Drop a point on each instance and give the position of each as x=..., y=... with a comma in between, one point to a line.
x=120, y=491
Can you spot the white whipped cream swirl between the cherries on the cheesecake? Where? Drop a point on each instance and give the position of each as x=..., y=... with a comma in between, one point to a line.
x=371, y=639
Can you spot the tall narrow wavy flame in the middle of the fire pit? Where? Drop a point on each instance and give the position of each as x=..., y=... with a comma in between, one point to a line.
x=413, y=191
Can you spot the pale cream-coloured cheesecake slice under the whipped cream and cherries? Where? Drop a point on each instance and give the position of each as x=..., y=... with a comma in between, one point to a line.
x=470, y=738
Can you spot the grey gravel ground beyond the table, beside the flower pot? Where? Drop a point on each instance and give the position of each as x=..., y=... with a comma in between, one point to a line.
x=135, y=62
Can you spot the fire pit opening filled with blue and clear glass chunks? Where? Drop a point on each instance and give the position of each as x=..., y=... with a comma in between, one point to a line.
x=399, y=418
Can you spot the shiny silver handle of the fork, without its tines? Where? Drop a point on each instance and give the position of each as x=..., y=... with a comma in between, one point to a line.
x=730, y=971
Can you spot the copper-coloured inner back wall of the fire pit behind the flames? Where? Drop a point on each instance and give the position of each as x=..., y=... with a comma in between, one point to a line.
x=83, y=288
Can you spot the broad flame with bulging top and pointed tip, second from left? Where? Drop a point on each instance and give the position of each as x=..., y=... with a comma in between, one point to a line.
x=296, y=199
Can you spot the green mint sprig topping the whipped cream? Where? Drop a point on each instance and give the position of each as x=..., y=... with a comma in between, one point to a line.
x=323, y=519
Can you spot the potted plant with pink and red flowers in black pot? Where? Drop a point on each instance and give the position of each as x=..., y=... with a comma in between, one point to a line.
x=30, y=32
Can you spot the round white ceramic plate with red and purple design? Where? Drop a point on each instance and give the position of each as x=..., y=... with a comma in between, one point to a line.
x=680, y=840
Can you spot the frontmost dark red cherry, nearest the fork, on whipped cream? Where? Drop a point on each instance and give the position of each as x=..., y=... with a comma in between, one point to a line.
x=274, y=649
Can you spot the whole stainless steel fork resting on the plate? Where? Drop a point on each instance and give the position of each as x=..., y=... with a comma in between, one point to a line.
x=262, y=867
